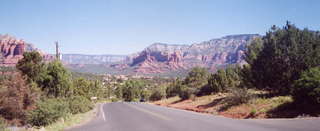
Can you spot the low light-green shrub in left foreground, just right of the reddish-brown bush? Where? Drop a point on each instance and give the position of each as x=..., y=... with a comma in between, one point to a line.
x=48, y=111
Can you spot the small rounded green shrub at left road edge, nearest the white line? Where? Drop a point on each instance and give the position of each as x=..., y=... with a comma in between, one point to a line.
x=79, y=104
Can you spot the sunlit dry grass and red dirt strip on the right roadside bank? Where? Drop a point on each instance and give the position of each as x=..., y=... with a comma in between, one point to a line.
x=258, y=107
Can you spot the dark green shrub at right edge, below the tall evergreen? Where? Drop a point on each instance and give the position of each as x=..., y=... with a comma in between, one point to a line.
x=307, y=88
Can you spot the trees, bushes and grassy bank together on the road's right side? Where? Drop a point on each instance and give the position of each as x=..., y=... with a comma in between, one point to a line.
x=282, y=66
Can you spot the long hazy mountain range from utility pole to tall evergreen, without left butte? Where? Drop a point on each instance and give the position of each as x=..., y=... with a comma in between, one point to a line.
x=167, y=59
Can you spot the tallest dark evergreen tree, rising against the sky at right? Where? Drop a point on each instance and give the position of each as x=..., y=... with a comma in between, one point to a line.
x=284, y=54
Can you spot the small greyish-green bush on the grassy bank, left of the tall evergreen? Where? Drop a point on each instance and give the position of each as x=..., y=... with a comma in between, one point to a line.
x=239, y=96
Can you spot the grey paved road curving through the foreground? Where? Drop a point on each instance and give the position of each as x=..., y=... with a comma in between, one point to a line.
x=122, y=116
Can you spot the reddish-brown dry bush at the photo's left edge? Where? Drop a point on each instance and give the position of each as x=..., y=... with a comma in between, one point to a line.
x=16, y=97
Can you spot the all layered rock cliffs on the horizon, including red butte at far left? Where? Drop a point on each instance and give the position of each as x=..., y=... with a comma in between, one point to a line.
x=155, y=59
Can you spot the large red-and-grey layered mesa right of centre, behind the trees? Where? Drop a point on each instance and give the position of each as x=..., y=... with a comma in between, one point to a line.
x=159, y=57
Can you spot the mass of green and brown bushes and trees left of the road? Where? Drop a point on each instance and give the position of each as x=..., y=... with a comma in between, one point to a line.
x=39, y=93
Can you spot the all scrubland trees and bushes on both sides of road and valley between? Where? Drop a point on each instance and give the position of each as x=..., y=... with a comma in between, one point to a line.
x=280, y=79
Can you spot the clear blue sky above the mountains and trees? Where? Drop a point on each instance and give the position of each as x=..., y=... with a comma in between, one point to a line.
x=128, y=26
